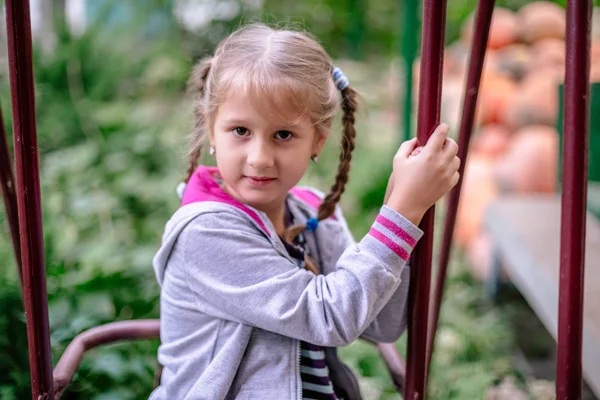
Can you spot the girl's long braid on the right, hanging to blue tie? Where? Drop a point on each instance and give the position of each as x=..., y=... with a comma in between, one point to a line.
x=327, y=207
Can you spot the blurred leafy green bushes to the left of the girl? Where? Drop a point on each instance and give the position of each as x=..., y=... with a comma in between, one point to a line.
x=111, y=133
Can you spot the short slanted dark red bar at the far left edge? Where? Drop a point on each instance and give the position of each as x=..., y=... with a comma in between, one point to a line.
x=7, y=182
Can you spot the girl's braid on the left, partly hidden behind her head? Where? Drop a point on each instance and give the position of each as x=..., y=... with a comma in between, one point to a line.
x=197, y=84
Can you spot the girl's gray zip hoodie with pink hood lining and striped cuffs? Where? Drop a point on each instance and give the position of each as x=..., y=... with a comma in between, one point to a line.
x=234, y=304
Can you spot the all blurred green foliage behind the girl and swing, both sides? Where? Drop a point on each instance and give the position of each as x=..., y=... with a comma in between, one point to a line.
x=112, y=131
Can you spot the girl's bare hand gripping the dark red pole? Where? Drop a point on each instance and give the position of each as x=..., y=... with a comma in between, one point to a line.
x=423, y=175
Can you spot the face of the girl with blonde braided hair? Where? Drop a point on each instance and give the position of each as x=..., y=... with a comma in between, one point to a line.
x=259, y=159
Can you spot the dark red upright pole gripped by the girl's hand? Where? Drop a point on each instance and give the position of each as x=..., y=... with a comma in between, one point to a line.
x=430, y=88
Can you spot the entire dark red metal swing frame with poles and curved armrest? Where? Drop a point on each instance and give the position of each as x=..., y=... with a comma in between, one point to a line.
x=26, y=224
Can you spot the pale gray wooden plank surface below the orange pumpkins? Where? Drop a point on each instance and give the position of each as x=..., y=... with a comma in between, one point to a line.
x=526, y=236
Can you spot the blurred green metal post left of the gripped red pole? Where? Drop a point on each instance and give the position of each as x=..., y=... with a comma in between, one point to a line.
x=409, y=50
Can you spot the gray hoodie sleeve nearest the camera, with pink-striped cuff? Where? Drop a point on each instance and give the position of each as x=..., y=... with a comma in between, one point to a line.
x=232, y=266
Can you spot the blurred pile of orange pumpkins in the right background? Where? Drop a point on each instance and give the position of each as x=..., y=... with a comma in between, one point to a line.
x=514, y=147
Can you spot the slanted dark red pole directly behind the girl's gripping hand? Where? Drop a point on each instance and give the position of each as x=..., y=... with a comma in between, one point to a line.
x=482, y=23
